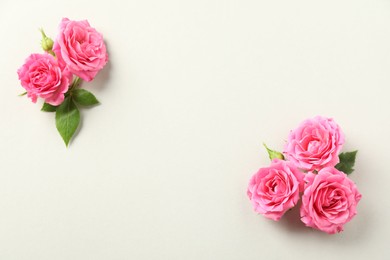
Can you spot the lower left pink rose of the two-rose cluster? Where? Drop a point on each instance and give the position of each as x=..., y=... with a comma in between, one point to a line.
x=42, y=76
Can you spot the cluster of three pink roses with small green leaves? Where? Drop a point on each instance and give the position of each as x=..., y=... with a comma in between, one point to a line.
x=312, y=165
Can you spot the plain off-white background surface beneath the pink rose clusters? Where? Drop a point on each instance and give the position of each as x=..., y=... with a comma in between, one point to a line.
x=159, y=170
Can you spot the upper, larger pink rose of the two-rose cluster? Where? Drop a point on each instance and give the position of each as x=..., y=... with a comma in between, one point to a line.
x=81, y=48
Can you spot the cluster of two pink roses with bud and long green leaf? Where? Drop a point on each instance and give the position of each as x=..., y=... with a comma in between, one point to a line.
x=77, y=54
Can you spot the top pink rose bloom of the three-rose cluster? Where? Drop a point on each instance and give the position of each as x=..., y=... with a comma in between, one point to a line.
x=315, y=144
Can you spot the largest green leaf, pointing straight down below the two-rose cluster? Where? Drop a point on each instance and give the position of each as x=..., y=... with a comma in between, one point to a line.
x=67, y=119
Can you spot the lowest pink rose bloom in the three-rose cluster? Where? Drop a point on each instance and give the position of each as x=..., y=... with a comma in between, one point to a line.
x=329, y=200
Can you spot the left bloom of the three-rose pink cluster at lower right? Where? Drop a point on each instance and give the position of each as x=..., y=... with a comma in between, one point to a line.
x=275, y=189
